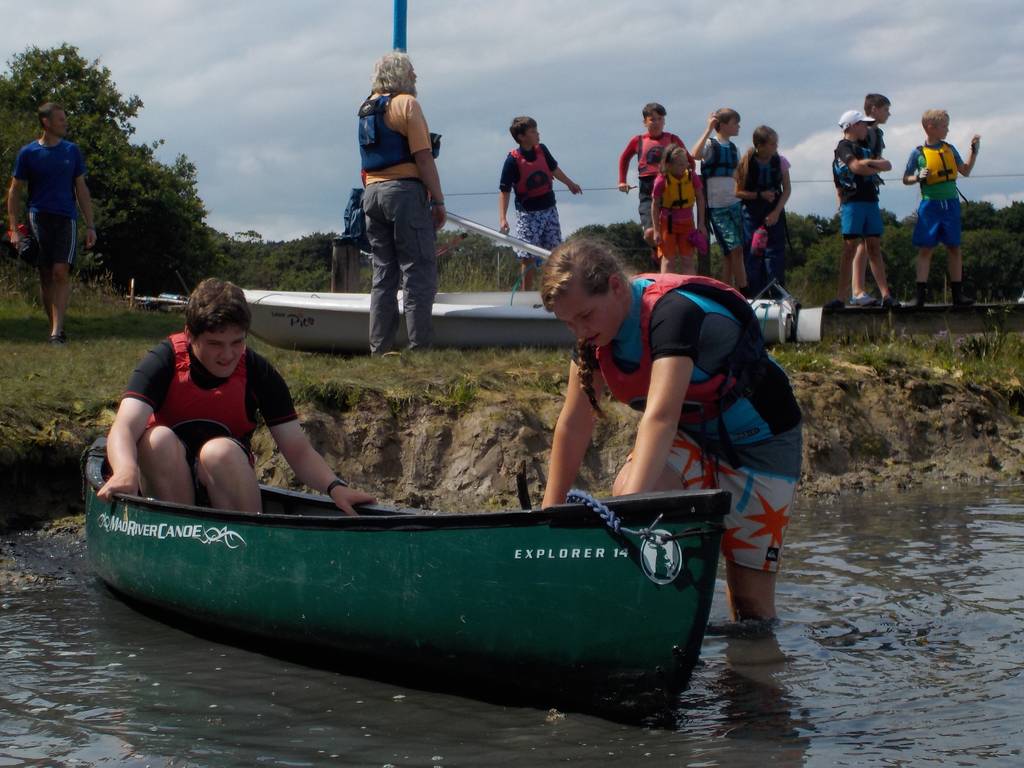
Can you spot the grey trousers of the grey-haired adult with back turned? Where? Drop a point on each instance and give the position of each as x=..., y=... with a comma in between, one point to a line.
x=402, y=237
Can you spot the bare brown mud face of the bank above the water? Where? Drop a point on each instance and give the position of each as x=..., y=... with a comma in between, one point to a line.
x=863, y=431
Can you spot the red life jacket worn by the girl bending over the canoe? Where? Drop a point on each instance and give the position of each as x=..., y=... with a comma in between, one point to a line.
x=705, y=400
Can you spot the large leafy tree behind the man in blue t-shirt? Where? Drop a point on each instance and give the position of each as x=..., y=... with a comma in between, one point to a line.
x=149, y=215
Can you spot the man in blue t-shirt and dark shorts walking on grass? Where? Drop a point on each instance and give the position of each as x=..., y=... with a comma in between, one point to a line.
x=54, y=172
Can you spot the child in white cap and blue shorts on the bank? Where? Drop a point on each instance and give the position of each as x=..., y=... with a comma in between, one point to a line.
x=856, y=175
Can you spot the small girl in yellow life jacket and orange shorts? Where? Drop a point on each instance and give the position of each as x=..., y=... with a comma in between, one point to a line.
x=675, y=193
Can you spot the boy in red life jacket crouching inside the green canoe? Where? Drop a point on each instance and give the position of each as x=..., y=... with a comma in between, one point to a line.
x=184, y=430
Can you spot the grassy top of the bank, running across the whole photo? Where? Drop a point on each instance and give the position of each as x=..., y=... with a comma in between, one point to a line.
x=53, y=395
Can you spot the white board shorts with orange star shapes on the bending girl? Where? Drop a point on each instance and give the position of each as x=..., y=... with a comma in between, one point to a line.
x=762, y=503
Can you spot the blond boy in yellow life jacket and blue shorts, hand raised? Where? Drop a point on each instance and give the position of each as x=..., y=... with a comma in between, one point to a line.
x=935, y=166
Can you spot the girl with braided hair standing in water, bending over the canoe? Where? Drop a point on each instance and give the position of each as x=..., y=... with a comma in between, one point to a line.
x=717, y=411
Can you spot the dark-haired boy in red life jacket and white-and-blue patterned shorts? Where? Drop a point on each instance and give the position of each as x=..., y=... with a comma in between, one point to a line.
x=530, y=170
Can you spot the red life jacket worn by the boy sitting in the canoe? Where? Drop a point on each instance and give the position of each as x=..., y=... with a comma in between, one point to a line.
x=187, y=402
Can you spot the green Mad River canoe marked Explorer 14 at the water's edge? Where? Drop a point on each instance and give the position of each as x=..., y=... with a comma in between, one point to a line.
x=550, y=608
